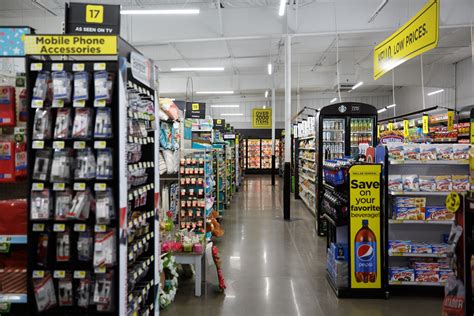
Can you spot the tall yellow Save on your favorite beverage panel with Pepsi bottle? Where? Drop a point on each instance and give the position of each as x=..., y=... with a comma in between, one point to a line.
x=365, y=226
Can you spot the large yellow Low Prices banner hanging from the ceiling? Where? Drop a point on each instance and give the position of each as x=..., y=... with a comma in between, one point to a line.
x=418, y=35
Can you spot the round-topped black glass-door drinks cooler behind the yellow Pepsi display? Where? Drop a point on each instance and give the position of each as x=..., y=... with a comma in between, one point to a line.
x=345, y=129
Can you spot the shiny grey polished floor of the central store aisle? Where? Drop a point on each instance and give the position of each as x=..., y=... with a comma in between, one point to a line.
x=273, y=267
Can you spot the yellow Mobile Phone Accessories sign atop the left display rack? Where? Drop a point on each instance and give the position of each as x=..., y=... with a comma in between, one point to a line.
x=70, y=45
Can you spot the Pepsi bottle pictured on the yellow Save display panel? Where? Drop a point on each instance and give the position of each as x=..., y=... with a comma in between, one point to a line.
x=365, y=250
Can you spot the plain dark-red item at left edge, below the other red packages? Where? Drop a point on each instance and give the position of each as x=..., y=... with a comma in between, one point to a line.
x=13, y=217
